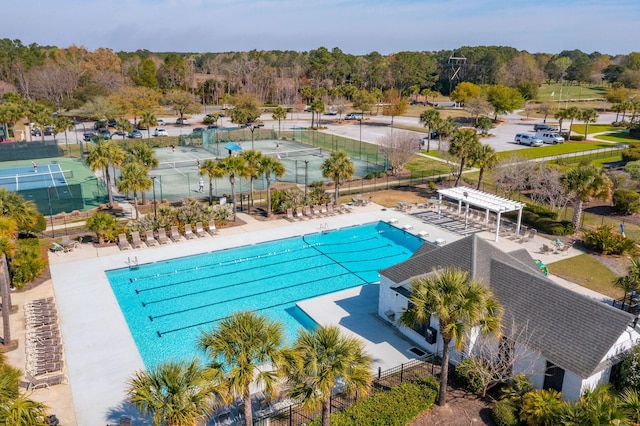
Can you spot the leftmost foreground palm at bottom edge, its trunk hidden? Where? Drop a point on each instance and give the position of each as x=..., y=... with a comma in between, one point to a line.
x=176, y=393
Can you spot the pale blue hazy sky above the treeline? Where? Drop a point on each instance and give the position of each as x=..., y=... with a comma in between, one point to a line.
x=355, y=26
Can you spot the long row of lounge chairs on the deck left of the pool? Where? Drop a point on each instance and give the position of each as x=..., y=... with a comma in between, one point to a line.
x=43, y=344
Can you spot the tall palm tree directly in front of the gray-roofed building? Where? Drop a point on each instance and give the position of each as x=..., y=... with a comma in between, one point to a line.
x=461, y=305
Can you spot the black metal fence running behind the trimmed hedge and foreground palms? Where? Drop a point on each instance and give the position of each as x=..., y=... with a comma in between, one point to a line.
x=296, y=415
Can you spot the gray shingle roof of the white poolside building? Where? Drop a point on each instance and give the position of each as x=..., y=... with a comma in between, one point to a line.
x=570, y=330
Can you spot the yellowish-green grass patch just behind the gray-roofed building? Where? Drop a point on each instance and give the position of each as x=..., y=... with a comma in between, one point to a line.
x=588, y=272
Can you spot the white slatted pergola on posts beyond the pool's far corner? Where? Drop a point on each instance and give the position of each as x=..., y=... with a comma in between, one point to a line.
x=482, y=200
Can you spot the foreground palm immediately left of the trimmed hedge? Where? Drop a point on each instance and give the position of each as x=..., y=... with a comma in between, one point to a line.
x=322, y=359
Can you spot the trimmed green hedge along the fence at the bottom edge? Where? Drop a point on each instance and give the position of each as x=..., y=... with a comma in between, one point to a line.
x=397, y=407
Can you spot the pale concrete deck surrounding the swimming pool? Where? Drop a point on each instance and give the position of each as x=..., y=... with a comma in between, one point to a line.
x=101, y=354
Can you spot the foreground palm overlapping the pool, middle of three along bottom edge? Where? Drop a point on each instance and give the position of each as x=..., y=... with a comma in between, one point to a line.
x=246, y=344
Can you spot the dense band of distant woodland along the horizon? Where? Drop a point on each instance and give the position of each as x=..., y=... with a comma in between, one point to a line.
x=70, y=77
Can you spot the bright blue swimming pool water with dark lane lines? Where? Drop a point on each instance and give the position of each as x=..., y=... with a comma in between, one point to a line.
x=167, y=304
